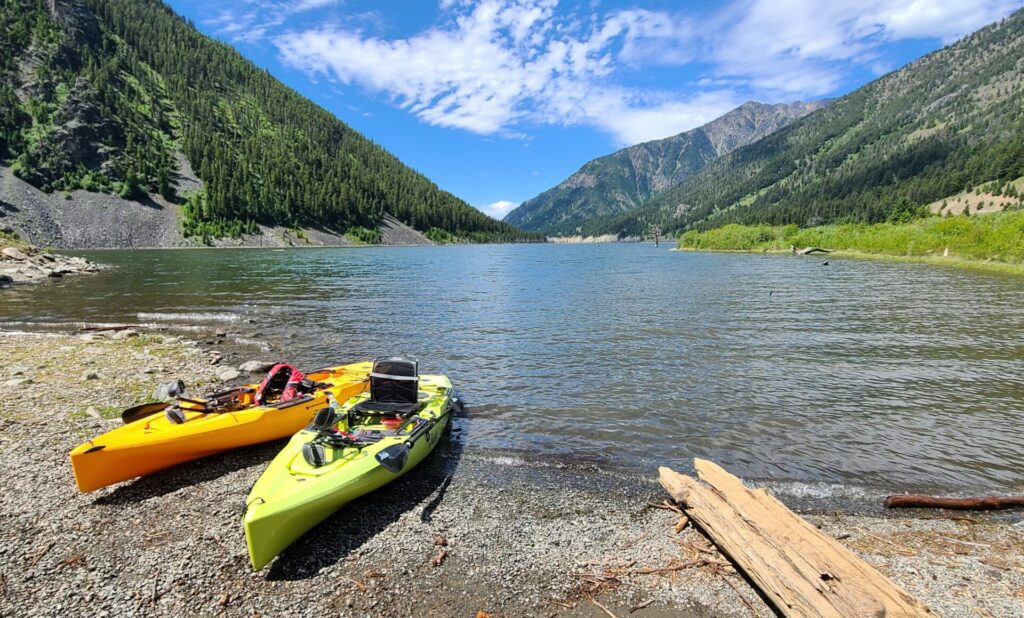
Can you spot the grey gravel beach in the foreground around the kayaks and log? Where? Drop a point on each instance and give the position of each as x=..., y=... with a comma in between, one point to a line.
x=467, y=534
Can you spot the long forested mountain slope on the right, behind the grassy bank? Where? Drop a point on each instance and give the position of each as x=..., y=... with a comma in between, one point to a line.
x=951, y=121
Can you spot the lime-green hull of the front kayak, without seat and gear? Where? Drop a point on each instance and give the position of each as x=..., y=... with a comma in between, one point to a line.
x=291, y=498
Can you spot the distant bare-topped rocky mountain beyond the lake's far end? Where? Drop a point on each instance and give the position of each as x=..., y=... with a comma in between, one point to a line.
x=619, y=183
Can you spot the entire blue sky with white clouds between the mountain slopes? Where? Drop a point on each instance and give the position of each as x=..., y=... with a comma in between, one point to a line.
x=497, y=101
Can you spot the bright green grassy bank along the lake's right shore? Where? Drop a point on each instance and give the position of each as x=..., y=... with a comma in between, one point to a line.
x=996, y=240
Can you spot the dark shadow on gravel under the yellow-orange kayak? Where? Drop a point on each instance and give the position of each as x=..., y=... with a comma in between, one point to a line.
x=189, y=474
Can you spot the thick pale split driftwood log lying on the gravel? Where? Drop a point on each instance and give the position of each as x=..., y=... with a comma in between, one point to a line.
x=800, y=570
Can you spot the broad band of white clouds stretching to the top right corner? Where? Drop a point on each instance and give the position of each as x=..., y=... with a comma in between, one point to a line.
x=499, y=67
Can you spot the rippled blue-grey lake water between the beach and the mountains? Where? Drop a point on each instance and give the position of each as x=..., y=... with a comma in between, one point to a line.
x=870, y=374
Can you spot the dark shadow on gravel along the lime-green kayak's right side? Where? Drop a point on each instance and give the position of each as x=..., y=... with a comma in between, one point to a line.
x=360, y=521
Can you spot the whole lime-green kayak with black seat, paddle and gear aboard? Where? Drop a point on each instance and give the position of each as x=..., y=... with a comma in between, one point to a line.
x=348, y=452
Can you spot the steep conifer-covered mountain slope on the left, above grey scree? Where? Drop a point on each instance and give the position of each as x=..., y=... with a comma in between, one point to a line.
x=106, y=95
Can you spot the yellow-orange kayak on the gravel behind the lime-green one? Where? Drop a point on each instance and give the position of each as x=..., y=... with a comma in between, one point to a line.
x=192, y=429
